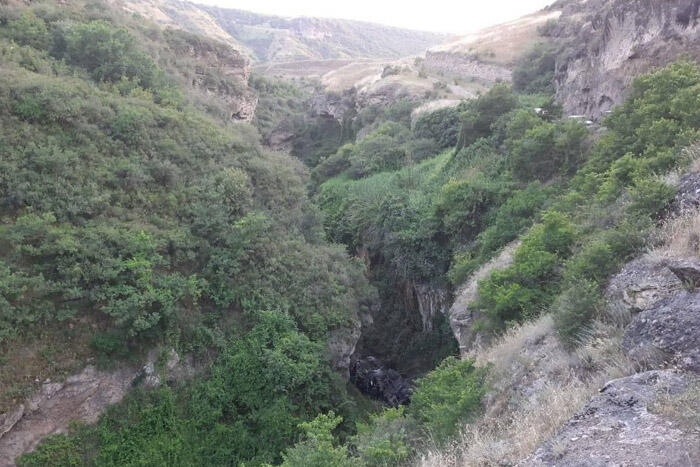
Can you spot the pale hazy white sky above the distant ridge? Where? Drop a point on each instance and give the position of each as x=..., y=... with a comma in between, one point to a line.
x=451, y=16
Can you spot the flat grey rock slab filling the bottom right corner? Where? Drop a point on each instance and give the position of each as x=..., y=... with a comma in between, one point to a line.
x=619, y=427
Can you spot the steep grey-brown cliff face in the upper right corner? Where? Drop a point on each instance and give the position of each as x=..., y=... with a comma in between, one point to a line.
x=609, y=42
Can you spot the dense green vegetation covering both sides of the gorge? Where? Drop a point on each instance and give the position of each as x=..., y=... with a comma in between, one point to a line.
x=132, y=207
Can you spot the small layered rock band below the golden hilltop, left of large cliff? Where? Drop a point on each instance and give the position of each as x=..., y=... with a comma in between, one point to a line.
x=463, y=65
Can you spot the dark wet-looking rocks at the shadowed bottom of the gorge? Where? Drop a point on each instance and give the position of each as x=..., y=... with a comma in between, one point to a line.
x=374, y=379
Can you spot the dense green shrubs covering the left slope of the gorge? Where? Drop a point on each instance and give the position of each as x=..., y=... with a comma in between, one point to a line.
x=127, y=208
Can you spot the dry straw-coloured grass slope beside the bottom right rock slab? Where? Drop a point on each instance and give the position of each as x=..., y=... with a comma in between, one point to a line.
x=536, y=387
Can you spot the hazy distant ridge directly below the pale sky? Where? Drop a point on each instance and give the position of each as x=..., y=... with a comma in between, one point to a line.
x=273, y=38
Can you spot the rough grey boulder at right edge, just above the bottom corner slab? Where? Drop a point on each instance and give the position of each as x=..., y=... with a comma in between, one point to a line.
x=668, y=333
